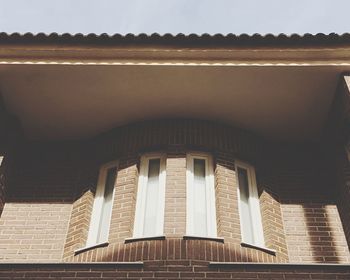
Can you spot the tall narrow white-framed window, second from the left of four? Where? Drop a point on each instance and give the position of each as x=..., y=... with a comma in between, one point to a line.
x=149, y=218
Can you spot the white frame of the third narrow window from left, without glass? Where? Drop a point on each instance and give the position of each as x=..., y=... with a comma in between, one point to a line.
x=210, y=194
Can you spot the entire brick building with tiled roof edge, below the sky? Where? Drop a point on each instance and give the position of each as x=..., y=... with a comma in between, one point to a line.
x=174, y=157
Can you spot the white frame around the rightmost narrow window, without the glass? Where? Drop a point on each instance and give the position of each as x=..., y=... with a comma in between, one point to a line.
x=254, y=204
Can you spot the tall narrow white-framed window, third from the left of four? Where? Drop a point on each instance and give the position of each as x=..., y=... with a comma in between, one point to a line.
x=201, y=211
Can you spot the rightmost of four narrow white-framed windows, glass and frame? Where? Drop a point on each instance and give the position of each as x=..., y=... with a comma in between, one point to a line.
x=249, y=208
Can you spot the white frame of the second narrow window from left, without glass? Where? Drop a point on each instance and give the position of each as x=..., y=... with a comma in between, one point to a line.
x=141, y=195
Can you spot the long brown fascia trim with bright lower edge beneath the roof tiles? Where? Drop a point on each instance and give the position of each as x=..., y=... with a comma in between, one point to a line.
x=139, y=55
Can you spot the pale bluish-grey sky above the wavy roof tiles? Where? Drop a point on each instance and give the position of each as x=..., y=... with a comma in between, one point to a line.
x=175, y=16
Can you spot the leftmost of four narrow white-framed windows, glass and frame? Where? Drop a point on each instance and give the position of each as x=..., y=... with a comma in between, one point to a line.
x=102, y=209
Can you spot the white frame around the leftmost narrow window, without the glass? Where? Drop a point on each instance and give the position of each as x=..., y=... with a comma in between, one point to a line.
x=98, y=204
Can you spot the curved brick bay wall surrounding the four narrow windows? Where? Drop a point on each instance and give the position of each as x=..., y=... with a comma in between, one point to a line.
x=176, y=138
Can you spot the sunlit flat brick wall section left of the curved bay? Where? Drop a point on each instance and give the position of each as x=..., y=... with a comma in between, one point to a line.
x=33, y=232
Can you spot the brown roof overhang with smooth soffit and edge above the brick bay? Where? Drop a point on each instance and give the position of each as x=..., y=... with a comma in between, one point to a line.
x=67, y=88
